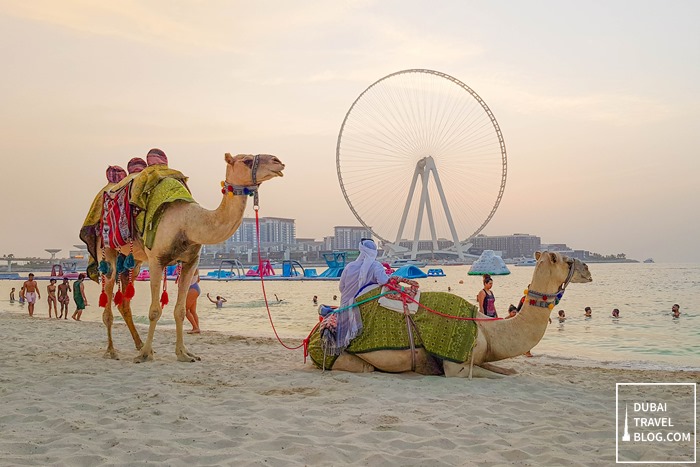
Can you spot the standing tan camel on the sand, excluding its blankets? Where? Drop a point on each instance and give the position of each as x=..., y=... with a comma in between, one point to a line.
x=182, y=230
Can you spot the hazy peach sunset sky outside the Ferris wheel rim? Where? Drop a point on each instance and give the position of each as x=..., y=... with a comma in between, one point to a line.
x=598, y=102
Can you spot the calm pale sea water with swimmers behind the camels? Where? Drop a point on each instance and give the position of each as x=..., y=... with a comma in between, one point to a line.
x=645, y=335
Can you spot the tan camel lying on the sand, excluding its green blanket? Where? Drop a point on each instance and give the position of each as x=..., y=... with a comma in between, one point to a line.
x=495, y=339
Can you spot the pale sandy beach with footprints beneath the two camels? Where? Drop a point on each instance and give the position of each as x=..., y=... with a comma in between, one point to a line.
x=252, y=402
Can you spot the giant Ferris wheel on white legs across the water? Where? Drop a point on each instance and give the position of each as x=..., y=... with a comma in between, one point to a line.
x=419, y=145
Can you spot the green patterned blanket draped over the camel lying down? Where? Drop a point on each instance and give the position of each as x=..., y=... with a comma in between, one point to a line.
x=443, y=337
